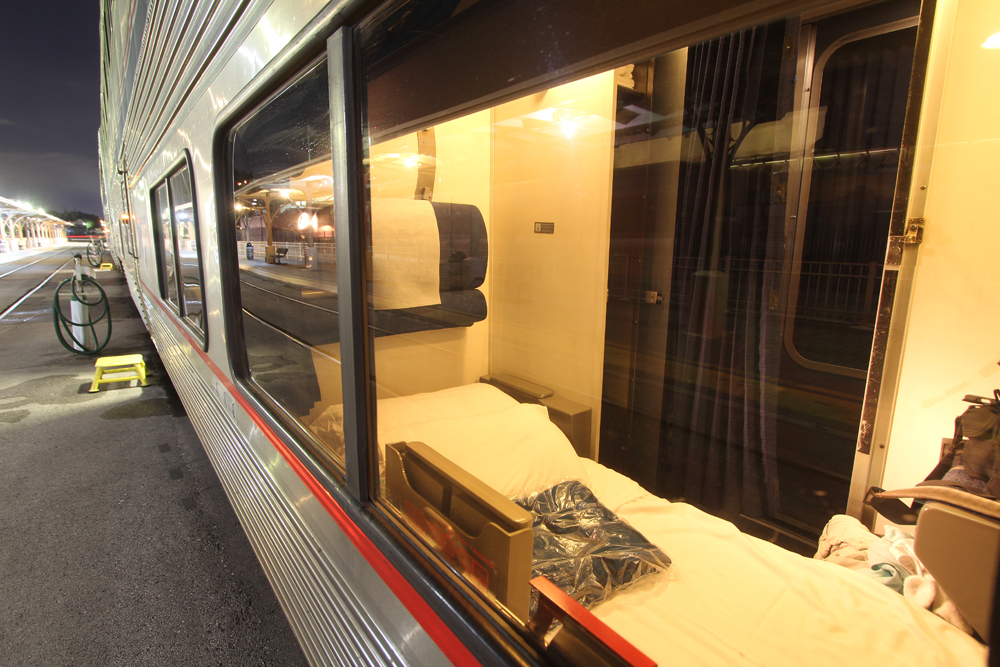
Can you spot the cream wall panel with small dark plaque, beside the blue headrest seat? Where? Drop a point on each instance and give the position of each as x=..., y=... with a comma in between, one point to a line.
x=553, y=161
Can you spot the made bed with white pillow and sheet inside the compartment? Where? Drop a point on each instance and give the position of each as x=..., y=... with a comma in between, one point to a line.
x=723, y=598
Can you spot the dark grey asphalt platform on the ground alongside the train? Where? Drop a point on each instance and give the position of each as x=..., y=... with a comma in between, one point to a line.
x=118, y=544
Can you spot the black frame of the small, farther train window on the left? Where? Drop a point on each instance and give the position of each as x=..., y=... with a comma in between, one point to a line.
x=179, y=308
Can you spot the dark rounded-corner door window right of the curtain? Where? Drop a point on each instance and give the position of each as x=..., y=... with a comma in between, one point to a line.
x=847, y=197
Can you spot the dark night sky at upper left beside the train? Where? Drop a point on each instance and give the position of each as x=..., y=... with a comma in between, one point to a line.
x=50, y=104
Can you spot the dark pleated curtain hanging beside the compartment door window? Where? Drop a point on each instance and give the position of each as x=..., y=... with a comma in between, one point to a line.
x=718, y=443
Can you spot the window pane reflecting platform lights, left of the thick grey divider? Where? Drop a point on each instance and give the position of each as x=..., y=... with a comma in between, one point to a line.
x=282, y=223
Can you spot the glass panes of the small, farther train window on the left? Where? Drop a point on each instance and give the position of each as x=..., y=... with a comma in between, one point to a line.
x=178, y=250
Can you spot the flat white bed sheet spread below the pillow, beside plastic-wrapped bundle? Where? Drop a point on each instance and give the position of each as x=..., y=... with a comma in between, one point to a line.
x=732, y=599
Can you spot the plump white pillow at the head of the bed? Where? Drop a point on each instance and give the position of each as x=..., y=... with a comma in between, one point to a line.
x=516, y=450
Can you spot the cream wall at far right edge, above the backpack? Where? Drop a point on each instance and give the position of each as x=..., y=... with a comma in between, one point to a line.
x=952, y=347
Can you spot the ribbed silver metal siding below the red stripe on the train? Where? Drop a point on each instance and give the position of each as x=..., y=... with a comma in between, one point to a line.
x=314, y=567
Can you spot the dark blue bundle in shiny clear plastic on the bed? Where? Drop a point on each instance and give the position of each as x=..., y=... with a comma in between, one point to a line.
x=585, y=548
